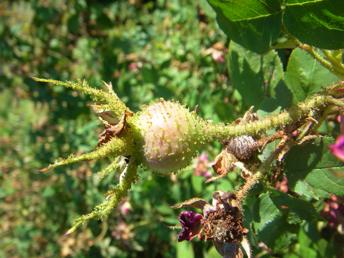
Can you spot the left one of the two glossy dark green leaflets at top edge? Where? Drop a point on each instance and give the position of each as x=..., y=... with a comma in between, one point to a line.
x=255, y=24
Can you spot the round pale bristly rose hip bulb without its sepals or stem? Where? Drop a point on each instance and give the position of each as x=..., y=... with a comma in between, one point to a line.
x=170, y=135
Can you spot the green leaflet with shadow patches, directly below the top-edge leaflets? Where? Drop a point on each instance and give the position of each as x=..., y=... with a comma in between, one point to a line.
x=258, y=78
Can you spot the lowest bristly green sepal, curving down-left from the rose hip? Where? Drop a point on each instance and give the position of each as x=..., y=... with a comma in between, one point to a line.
x=102, y=210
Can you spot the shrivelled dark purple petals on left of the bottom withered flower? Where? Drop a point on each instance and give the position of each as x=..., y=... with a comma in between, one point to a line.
x=191, y=225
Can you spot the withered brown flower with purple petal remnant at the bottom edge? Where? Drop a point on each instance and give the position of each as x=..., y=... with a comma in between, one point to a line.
x=222, y=222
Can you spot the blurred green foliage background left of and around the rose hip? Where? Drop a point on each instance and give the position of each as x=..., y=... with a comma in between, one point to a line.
x=147, y=49
